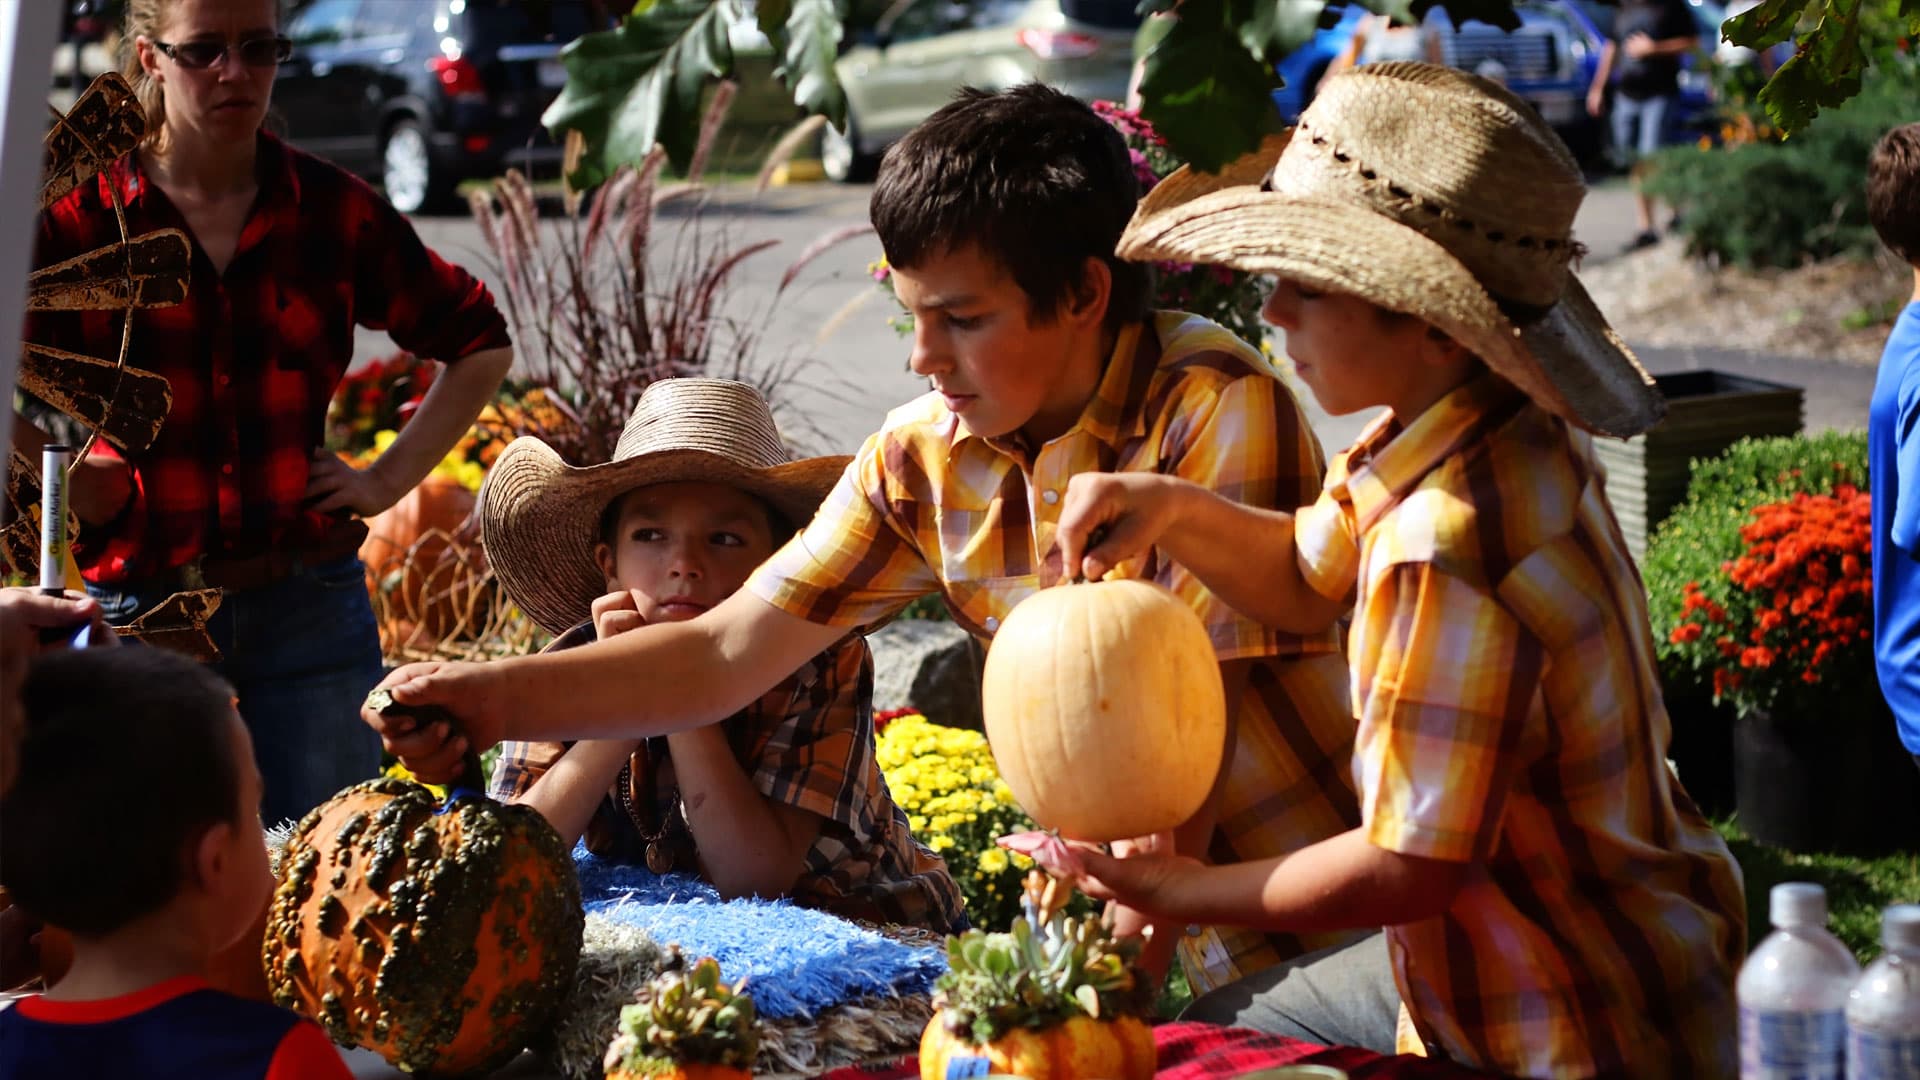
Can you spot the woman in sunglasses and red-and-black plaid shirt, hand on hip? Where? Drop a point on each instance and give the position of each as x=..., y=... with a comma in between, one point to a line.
x=237, y=495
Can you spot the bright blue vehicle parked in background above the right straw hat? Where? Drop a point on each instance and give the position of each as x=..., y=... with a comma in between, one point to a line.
x=1548, y=62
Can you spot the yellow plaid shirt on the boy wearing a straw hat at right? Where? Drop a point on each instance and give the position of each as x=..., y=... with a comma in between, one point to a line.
x=1510, y=716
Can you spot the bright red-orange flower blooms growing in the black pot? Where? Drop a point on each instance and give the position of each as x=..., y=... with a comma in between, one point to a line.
x=1790, y=627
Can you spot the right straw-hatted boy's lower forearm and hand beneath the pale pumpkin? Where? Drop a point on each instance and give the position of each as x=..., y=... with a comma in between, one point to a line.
x=1341, y=883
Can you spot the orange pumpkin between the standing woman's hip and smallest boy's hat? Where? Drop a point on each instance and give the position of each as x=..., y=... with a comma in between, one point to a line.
x=425, y=568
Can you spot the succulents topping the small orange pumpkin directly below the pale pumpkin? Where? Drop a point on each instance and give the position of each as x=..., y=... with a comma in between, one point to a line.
x=1047, y=971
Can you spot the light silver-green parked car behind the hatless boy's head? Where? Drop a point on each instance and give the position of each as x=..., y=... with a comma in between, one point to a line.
x=915, y=61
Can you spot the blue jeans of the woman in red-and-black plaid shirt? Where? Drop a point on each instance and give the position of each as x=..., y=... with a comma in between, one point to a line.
x=302, y=654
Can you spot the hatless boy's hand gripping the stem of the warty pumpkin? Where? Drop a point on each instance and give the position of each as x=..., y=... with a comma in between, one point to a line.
x=435, y=752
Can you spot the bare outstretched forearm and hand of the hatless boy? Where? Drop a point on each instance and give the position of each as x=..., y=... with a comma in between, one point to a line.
x=648, y=681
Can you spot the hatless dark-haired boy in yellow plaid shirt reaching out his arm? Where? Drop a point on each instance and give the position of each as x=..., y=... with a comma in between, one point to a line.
x=999, y=216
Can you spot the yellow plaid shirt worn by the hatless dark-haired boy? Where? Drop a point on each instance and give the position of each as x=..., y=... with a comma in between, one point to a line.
x=928, y=506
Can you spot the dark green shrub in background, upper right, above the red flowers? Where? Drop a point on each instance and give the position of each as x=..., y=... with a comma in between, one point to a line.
x=1783, y=203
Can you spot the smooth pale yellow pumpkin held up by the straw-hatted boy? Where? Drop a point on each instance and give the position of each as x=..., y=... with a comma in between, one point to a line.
x=1105, y=710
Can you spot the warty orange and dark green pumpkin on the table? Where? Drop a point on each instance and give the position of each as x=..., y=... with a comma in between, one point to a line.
x=437, y=935
